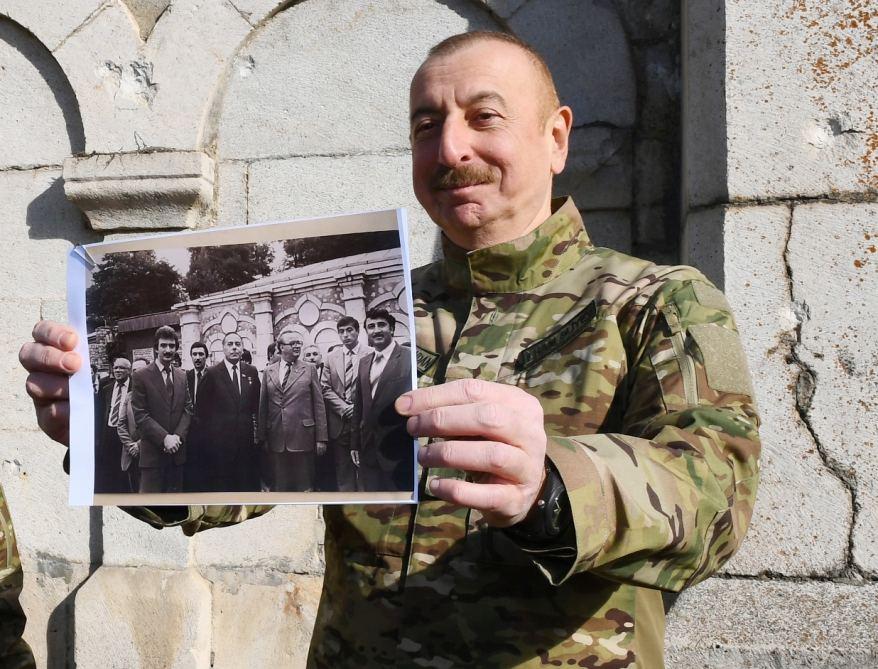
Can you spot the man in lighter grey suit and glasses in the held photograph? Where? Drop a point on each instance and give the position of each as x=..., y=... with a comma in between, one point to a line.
x=292, y=418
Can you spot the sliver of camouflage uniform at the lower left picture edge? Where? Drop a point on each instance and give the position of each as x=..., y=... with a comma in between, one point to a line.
x=14, y=651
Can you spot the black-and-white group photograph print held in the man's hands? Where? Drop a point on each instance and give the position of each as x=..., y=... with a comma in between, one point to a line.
x=252, y=365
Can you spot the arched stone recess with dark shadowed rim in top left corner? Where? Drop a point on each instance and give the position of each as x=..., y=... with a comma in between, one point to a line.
x=37, y=103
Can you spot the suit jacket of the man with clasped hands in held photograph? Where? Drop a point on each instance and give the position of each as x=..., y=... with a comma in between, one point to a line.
x=157, y=415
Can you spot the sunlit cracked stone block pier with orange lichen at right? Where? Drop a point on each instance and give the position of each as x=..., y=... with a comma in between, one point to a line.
x=780, y=188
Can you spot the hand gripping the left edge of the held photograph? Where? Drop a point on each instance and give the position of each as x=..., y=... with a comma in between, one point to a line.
x=51, y=360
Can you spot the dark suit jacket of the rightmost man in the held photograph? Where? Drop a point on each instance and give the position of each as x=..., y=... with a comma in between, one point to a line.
x=379, y=432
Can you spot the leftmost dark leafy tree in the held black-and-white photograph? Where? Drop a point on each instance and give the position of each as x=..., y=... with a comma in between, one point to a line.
x=131, y=284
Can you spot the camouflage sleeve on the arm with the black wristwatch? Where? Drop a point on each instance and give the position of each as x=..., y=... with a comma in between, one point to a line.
x=665, y=502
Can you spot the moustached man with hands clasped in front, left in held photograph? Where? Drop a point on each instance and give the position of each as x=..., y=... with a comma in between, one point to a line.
x=162, y=413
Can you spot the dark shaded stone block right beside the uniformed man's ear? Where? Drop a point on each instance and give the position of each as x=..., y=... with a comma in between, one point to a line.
x=598, y=172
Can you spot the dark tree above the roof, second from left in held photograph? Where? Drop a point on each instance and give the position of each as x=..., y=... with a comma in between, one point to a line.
x=216, y=268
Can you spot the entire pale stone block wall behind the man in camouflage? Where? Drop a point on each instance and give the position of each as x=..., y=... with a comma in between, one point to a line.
x=152, y=114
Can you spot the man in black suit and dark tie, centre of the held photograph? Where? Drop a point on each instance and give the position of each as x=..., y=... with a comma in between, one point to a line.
x=228, y=401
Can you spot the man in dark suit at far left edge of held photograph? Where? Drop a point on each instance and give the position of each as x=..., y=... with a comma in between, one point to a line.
x=109, y=477
